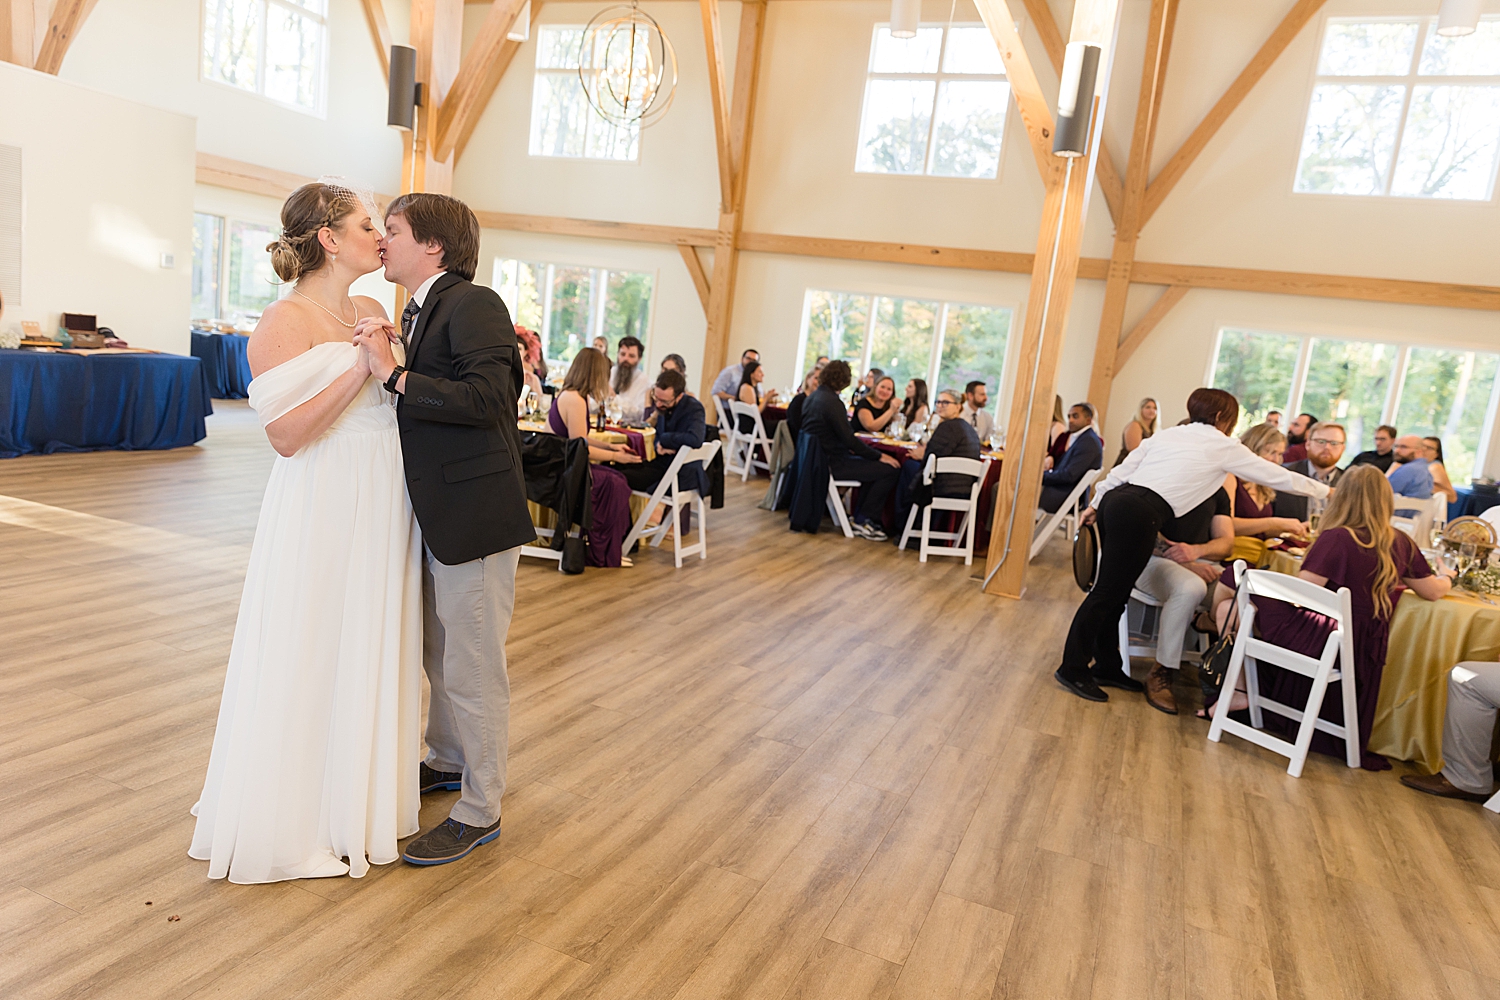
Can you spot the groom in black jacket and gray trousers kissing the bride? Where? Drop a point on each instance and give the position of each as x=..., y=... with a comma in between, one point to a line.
x=457, y=409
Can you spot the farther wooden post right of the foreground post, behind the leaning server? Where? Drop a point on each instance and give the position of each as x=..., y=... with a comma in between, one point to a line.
x=1127, y=232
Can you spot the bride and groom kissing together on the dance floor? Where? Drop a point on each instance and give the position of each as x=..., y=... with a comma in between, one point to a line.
x=389, y=536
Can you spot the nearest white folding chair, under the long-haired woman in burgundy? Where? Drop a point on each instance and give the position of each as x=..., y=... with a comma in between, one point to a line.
x=1250, y=651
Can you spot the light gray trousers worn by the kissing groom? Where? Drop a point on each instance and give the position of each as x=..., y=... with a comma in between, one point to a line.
x=466, y=615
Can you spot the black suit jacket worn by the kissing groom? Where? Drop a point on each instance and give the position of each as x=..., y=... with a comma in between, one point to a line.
x=458, y=425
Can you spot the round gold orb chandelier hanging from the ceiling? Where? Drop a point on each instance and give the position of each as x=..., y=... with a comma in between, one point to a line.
x=628, y=67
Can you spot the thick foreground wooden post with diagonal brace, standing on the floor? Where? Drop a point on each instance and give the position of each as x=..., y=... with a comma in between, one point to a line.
x=1055, y=274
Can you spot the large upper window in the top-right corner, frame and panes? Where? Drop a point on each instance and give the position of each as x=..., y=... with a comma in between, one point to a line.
x=1402, y=110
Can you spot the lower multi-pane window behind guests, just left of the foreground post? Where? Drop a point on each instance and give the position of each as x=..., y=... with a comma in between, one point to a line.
x=946, y=344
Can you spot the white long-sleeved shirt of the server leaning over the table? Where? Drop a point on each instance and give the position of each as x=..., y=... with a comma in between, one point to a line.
x=1184, y=466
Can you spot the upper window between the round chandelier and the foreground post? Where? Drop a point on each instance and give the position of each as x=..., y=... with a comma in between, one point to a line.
x=934, y=104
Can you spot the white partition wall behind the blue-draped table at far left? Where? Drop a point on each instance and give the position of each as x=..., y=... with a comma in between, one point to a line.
x=103, y=200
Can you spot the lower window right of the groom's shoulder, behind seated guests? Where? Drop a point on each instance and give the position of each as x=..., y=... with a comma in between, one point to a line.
x=569, y=307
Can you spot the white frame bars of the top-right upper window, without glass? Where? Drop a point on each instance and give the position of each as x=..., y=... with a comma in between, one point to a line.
x=1427, y=25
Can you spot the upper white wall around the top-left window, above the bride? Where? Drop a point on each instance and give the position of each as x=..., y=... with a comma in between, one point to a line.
x=149, y=50
